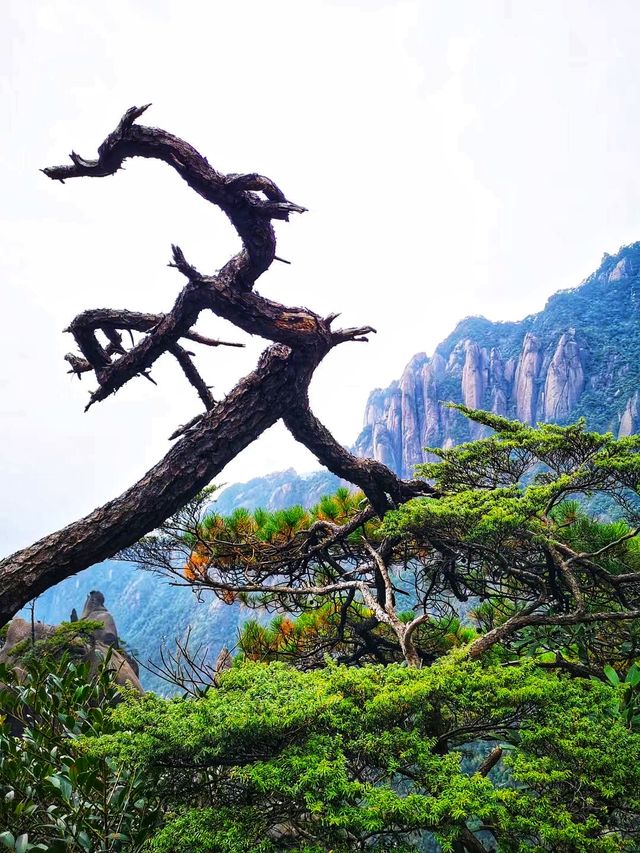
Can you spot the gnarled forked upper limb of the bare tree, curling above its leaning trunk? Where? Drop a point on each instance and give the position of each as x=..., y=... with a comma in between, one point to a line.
x=228, y=294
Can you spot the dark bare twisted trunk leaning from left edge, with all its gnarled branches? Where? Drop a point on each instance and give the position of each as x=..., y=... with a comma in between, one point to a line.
x=276, y=389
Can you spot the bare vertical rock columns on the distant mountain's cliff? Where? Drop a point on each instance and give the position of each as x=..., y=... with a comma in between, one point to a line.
x=543, y=382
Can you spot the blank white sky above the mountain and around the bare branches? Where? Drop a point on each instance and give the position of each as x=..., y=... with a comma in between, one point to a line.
x=456, y=157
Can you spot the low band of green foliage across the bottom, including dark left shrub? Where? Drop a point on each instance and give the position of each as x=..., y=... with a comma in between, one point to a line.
x=340, y=759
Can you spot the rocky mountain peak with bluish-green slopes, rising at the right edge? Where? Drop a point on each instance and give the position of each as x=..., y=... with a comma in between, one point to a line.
x=577, y=357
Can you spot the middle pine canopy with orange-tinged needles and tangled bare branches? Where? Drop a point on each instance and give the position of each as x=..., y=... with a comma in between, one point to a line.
x=510, y=530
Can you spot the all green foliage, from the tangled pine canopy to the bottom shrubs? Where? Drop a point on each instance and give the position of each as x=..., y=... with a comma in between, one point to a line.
x=462, y=675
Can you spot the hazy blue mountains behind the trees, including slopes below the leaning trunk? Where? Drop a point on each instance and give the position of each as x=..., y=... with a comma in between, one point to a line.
x=579, y=356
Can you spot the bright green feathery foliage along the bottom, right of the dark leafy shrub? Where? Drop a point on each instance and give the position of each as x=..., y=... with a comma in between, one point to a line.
x=372, y=758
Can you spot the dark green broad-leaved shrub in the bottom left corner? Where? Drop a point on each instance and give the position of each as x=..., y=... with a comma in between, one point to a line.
x=53, y=796
